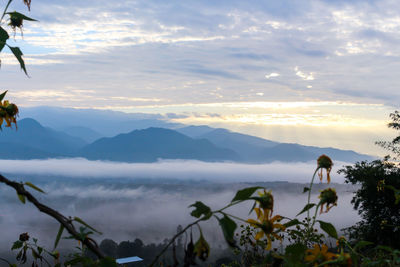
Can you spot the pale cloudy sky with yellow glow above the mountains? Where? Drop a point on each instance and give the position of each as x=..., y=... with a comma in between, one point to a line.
x=313, y=72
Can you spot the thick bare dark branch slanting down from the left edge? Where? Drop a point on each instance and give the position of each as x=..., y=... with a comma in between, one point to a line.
x=66, y=222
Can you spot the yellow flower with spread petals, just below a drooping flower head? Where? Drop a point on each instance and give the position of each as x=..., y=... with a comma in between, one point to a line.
x=266, y=223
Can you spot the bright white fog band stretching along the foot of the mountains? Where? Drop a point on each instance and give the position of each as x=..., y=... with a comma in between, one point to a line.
x=166, y=169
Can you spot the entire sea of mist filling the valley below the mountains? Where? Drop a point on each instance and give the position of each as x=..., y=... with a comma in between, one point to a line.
x=149, y=200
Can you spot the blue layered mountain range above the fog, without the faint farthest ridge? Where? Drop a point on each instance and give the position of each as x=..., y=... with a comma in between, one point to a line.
x=32, y=140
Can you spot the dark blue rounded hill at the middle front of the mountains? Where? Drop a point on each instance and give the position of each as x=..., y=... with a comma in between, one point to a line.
x=151, y=144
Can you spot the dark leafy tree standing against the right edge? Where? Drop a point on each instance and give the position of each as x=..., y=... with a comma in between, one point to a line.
x=378, y=199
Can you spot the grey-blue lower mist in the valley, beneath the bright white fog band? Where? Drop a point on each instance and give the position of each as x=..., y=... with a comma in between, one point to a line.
x=151, y=212
